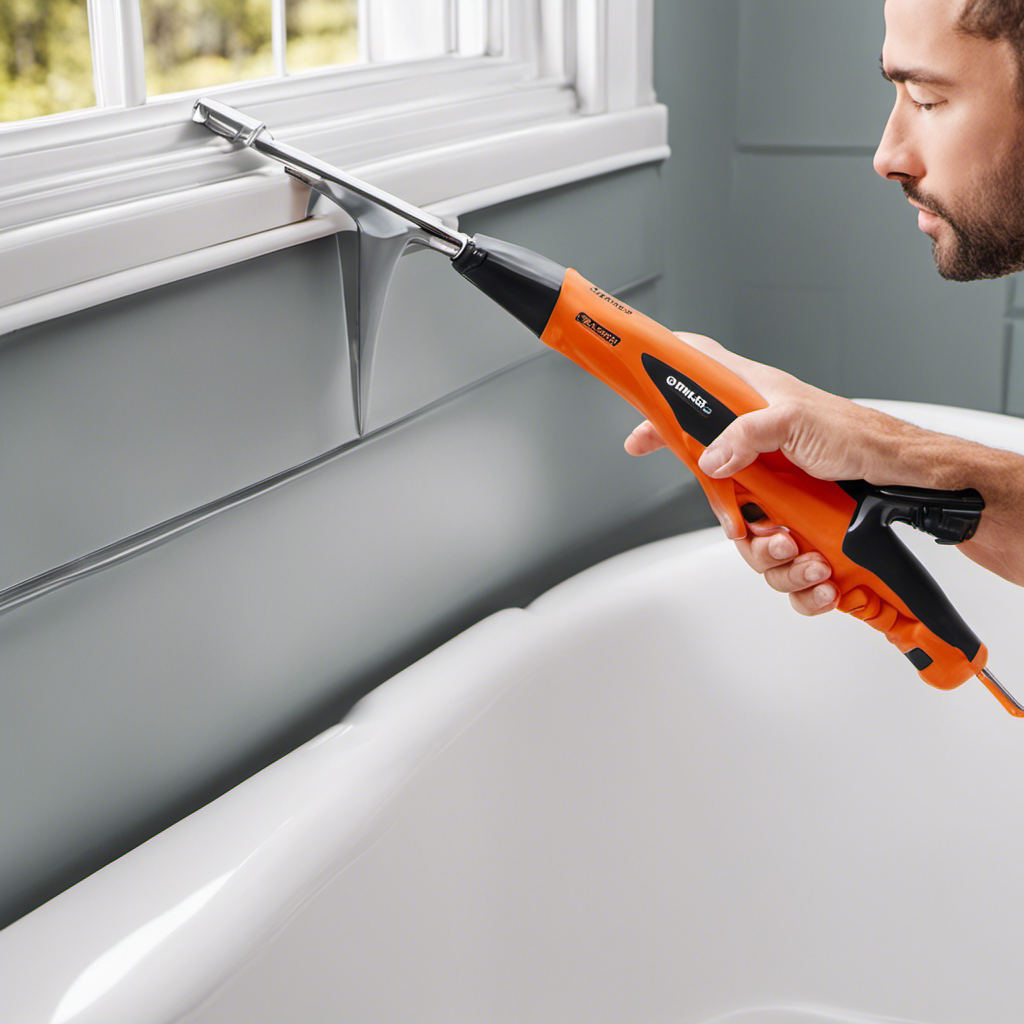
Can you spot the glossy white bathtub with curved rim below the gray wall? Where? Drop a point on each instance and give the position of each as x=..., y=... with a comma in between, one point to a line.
x=656, y=795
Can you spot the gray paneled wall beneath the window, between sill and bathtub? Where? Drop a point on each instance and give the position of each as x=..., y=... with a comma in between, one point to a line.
x=491, y=470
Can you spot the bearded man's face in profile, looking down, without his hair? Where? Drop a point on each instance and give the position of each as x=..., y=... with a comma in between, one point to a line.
x=955, y=141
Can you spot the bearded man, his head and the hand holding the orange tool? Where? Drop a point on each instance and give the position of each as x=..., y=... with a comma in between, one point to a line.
x=955, y=143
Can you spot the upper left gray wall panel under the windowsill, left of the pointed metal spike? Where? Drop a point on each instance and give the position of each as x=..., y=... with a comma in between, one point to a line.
x=119, y=418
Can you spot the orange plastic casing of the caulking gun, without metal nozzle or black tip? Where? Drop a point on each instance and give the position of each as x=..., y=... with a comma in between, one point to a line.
x=691, y=399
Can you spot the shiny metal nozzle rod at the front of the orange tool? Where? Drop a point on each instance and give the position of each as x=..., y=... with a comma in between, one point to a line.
x=236, y=126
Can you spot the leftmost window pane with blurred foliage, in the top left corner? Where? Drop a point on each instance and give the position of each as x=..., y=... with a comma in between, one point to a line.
x=46, y=62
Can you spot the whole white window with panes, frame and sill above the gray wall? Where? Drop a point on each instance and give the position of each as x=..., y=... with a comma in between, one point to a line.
x=451, y=104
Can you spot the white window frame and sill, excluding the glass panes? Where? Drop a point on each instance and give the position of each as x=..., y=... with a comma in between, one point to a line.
x=106, y=202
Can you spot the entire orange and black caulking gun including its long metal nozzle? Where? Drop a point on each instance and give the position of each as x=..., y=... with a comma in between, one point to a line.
x=691, y=399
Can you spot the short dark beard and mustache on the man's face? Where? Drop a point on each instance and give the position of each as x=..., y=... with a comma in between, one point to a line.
x=989, y=231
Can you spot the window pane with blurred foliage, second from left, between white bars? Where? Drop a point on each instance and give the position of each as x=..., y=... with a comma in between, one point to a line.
x=193, y=45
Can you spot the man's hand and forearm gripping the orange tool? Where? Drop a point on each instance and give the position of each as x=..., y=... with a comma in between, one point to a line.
x=835, y=440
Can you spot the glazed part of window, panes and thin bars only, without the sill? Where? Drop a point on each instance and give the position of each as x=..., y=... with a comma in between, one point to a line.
x=51, y=52
